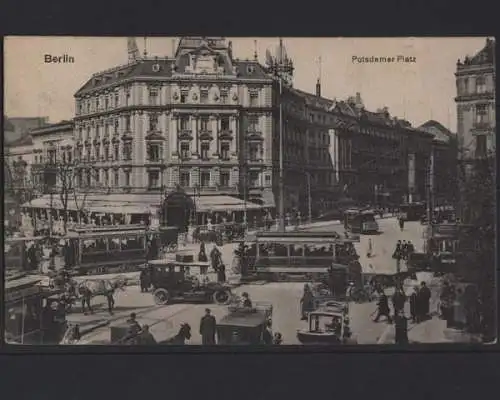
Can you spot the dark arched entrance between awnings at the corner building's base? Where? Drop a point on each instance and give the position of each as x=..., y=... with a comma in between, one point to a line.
x=176, y=210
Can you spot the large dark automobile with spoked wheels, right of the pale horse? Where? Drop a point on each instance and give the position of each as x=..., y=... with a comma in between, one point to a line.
x=172, y=282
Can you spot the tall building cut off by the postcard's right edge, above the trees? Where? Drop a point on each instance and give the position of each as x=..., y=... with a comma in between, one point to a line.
x=475, y=79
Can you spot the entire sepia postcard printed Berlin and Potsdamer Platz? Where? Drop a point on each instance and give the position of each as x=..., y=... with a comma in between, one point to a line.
x=249, y=191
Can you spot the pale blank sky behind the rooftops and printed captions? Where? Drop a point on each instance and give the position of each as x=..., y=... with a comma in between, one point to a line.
x=418, y=91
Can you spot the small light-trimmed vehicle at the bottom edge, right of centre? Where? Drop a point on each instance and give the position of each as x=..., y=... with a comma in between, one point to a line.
x=328, y=325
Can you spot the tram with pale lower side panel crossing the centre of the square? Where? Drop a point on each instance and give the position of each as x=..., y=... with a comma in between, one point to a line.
x=297, y=255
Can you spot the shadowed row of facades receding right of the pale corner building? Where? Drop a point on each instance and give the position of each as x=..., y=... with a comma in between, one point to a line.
x=336, y=149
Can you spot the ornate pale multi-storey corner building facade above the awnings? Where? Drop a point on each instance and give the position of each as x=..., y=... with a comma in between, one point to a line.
x=201, y=120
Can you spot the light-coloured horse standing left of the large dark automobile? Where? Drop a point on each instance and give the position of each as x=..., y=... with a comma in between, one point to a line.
x=88, y=289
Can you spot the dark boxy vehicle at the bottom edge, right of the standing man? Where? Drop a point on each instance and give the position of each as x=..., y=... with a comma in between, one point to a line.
x=245, y=326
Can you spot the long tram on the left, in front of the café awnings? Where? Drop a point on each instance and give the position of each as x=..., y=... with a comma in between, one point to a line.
x=103, y=250
